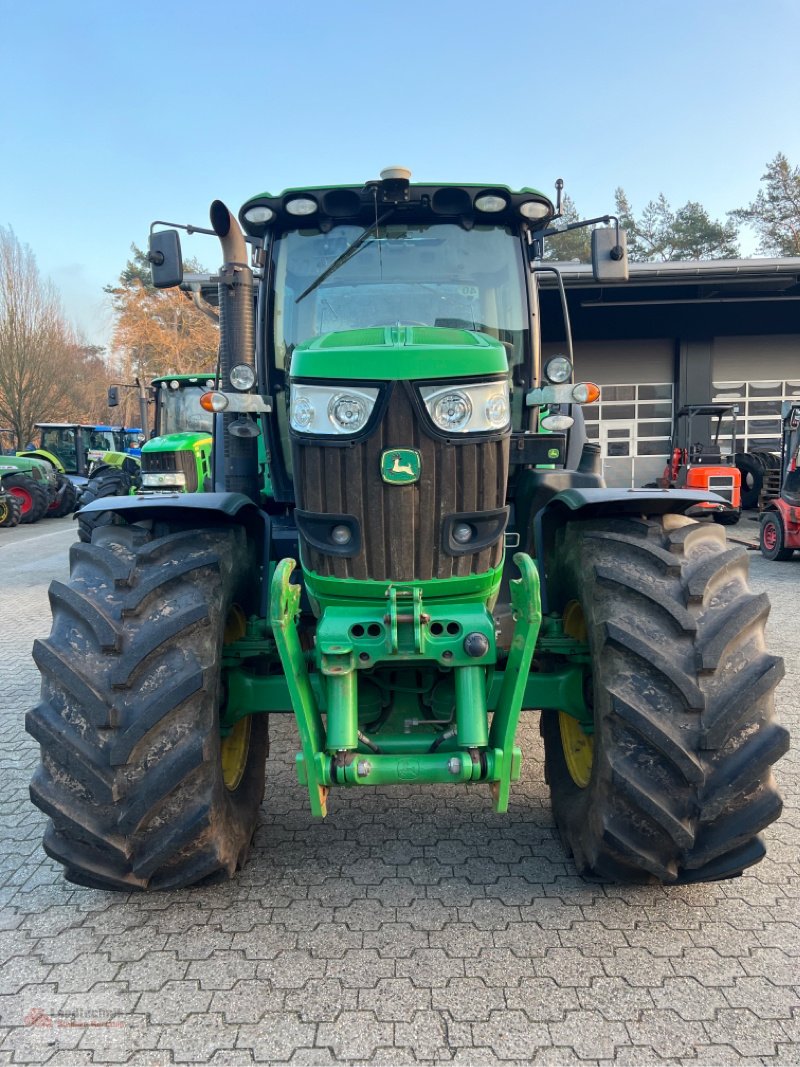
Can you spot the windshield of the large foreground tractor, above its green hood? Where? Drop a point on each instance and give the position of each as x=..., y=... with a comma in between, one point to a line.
x=436, y=275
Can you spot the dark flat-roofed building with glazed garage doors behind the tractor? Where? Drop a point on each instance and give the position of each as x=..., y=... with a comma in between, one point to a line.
x=681, y=333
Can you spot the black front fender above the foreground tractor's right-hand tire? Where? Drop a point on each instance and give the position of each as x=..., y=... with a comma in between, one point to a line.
x=577, y=505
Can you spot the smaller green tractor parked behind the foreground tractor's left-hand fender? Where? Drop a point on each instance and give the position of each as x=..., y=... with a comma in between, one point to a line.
x=177, y=459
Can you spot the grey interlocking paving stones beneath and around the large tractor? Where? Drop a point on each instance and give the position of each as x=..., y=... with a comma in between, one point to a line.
x=413, y=929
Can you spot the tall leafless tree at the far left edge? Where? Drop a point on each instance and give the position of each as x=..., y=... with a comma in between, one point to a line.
x=36, y=342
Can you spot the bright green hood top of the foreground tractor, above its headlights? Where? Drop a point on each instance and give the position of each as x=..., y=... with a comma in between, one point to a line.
x=408, y=353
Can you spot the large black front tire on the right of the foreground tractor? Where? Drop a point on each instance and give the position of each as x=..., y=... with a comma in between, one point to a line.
x=680, y=783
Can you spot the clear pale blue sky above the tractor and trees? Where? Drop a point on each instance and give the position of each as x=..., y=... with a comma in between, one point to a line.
x=114, y=116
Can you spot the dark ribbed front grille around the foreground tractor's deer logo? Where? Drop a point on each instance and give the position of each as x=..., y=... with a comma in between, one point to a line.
x=402, y=527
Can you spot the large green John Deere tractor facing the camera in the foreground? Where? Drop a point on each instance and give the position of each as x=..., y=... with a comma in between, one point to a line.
x=422, y=551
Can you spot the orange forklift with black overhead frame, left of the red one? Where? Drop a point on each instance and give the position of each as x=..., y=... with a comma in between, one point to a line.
x=701, y=464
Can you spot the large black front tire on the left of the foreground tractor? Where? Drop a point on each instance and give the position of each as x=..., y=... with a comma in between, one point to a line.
x=132, y=773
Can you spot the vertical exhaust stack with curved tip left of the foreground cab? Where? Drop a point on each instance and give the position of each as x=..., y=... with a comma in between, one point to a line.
x=237, y=345
